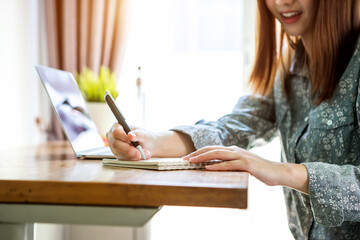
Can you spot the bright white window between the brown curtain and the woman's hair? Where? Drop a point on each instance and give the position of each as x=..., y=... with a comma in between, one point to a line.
x=191, y=57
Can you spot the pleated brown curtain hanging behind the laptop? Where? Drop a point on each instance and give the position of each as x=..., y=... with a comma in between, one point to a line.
x=85, y=33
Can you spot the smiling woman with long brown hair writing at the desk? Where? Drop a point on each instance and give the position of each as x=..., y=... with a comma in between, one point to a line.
x=309, y=93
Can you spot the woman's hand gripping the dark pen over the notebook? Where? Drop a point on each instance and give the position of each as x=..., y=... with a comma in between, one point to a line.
x=120, y=142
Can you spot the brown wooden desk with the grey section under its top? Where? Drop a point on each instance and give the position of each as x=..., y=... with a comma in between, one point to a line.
x=49, y=177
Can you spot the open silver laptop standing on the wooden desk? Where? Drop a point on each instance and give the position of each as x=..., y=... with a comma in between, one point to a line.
x=70, y=108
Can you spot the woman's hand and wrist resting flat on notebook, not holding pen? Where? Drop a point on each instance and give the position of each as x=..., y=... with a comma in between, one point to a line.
x=238, y=159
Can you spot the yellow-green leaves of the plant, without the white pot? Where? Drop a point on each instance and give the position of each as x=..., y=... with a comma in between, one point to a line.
x=94, y=86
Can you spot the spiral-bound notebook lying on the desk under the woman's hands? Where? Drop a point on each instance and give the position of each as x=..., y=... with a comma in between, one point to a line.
x=158, y=164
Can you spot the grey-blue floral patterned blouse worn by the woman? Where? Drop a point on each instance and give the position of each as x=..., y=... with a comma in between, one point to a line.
x=325, y=138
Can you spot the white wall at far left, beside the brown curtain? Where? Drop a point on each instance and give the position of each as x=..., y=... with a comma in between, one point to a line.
x=18, y=83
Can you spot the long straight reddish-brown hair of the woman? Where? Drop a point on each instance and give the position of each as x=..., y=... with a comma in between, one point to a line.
x=335, y=31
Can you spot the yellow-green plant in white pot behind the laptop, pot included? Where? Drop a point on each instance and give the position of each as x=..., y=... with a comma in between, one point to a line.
x=93, y=87
